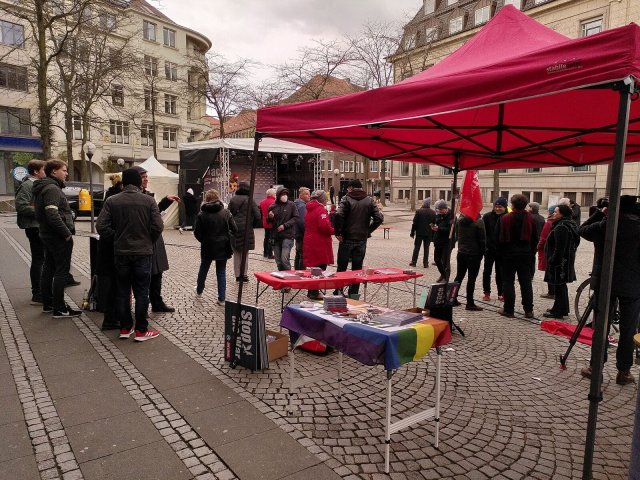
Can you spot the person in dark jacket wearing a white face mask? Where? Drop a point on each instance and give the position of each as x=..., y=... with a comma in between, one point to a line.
x=283, y=216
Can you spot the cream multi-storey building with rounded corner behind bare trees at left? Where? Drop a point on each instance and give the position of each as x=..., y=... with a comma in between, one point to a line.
x=122, y=122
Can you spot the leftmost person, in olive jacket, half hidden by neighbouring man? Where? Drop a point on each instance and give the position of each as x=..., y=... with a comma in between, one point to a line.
x=27, y=221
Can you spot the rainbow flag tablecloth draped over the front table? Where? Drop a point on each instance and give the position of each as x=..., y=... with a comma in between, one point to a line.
x=391, y=347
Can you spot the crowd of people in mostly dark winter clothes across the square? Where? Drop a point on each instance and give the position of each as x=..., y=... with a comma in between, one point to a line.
x=132, y=255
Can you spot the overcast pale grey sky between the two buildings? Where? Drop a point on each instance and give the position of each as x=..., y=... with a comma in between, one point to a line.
x=270, y=31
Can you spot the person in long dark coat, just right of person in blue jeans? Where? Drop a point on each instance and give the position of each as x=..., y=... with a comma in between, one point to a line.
x=238, y=207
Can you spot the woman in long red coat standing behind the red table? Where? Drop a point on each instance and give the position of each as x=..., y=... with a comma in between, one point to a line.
x=318, y=234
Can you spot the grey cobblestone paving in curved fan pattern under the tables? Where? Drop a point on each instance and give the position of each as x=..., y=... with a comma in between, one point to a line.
x=508, y=410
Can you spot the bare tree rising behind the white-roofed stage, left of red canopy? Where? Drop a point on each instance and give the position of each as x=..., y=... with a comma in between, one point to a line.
x=224, y=84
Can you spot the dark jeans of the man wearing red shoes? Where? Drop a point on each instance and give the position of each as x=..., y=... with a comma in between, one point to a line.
x=133, y=272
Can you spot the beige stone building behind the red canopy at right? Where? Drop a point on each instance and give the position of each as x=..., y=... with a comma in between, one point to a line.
x=441, y=27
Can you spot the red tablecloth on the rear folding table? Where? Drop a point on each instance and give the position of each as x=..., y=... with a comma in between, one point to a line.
x=341, y=279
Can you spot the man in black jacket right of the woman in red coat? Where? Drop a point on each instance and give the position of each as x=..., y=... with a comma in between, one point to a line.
x=357, y=217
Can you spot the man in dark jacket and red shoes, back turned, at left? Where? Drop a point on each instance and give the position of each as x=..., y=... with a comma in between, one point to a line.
x=132, y=221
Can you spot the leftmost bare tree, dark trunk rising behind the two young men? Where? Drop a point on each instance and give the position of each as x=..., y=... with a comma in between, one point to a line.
x=44, y=21
